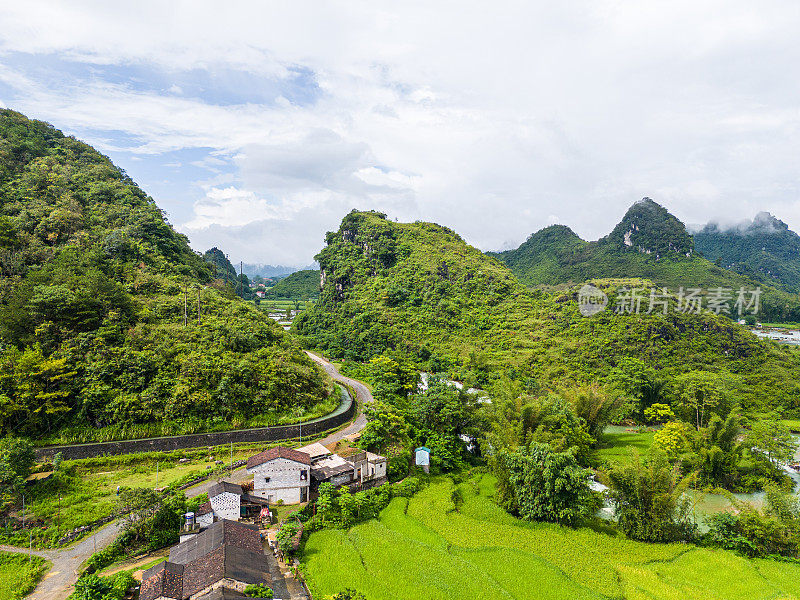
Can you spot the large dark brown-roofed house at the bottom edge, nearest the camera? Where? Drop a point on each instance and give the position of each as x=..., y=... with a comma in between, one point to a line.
x=218, y=563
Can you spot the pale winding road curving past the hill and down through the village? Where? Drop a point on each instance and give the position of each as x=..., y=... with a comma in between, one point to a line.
x=58, y=581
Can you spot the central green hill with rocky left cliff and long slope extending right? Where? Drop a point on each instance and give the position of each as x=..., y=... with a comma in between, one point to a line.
x=419, y=290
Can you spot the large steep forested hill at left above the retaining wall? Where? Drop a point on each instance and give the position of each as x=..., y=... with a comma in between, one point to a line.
x=99, y=332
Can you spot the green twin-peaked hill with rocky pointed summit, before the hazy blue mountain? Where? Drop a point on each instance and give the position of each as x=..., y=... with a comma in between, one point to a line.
x=648, y=243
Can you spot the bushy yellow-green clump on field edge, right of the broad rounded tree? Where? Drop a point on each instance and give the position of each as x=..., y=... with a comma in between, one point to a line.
x=648, y=499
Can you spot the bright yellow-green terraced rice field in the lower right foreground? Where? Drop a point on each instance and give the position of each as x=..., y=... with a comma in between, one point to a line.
x=427, y=548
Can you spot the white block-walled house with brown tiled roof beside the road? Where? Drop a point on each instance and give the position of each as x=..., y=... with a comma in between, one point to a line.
x=280, y=474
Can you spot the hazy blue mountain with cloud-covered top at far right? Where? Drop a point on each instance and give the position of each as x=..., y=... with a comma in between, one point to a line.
x=764, y=248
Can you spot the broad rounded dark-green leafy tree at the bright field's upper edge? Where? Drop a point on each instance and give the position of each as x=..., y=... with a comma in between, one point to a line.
x=539, y=484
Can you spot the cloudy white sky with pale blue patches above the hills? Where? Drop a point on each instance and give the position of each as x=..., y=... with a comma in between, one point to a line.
x=258, y=125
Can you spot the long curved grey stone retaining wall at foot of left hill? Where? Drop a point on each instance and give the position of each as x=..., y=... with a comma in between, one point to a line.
x=344, y=413
